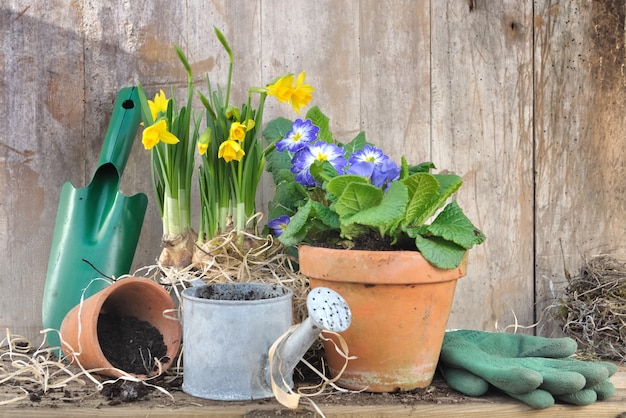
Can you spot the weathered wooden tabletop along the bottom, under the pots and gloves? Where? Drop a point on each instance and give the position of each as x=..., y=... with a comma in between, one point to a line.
x=486, y=406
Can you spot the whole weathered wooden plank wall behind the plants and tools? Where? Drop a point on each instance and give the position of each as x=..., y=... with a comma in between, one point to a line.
x=524, y=99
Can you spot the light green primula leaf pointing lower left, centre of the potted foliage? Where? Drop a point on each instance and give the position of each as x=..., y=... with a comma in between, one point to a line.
x=387, y=213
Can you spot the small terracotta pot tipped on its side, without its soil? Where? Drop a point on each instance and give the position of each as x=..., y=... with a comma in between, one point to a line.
x=138, y=297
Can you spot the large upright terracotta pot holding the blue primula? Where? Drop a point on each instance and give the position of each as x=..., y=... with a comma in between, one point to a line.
x=400, y=306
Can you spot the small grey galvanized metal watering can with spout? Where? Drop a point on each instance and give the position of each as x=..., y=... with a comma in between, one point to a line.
x=228, y=329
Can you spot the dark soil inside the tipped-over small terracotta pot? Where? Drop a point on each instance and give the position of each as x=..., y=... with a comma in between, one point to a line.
x=131, y=344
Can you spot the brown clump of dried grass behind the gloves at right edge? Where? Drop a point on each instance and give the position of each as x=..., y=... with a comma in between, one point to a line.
x=593, y=309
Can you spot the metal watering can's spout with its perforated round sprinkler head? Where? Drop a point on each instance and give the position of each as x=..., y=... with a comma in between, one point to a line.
x=327, y=311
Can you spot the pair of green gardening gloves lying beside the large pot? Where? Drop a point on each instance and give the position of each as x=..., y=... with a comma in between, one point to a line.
x=534, y=370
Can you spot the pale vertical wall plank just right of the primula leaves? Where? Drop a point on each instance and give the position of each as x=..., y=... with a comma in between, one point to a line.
x=482, y=130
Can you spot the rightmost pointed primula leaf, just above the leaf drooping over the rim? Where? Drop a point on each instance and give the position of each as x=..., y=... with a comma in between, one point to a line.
x=452, y=225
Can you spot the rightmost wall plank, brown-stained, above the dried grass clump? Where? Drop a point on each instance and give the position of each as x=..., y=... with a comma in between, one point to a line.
x=580, y=153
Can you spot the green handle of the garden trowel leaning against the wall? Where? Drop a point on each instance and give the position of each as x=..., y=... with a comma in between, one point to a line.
x=122, y=128
